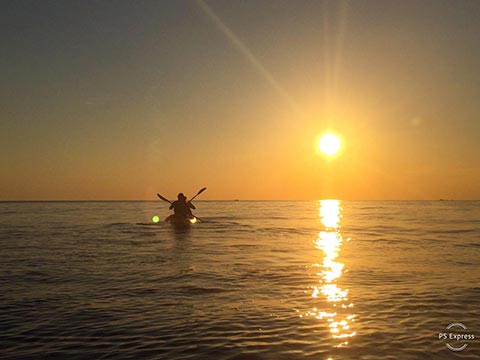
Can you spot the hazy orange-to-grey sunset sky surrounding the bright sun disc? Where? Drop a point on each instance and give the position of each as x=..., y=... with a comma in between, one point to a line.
x=124, y=99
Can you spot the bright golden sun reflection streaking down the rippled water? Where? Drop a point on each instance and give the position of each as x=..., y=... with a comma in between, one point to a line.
x=338, y=310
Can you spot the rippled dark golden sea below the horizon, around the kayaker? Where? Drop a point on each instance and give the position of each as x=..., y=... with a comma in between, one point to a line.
x=254, y=280
